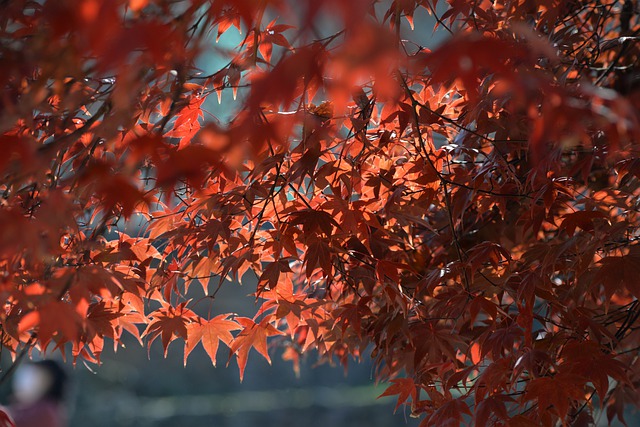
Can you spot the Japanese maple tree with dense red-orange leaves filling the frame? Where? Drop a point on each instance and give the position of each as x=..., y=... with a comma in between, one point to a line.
x=469, y=213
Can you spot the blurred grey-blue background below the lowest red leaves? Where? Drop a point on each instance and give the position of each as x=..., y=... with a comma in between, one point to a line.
x=132, y=388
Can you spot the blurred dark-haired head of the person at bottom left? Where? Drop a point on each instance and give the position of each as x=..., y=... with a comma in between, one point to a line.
x=36, y=381
